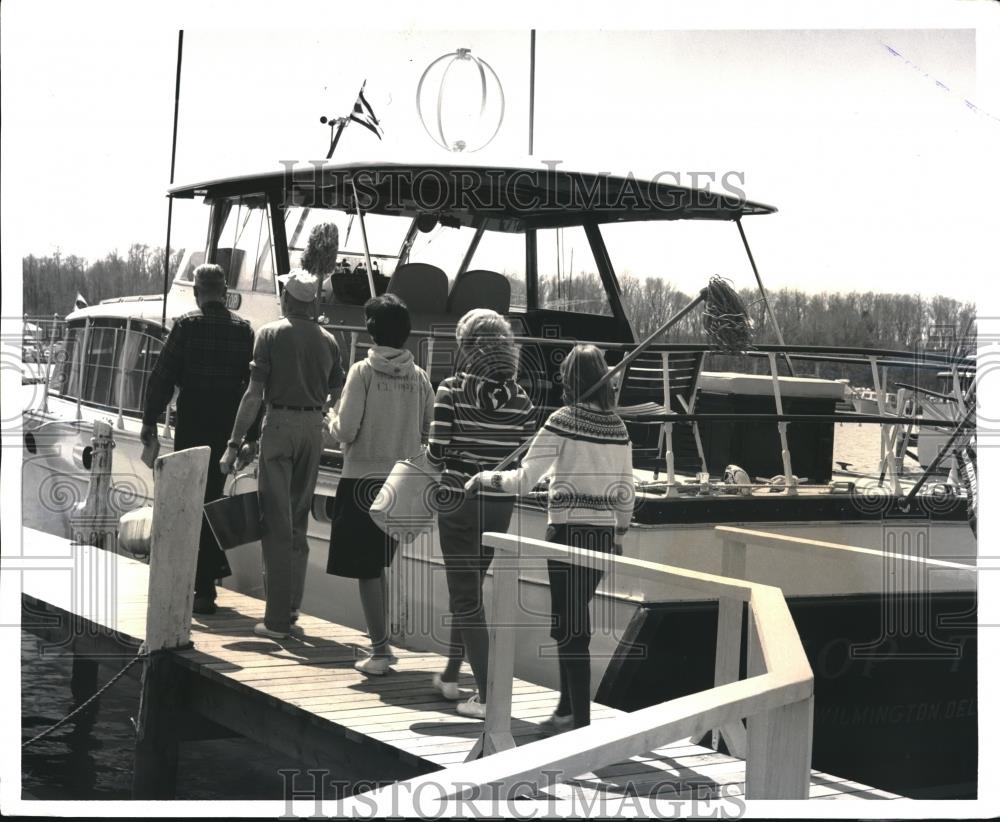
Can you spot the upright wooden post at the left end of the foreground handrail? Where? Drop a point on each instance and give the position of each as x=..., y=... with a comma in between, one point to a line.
x=496, y=734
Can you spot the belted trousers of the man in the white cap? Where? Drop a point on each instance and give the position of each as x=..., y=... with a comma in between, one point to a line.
x=290, y=446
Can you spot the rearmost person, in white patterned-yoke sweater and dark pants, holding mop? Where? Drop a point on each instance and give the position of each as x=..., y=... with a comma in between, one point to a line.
x=585, y=449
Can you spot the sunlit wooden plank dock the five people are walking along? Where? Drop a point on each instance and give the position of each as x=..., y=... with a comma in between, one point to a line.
x=302, y=697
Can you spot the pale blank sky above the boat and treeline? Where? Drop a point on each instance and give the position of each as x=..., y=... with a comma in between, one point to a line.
x=878, y=167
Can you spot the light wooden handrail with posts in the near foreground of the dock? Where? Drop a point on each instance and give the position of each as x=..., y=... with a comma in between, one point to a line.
x=776, y=698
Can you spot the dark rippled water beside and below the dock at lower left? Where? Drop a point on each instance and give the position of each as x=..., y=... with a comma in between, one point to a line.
x=91, y=757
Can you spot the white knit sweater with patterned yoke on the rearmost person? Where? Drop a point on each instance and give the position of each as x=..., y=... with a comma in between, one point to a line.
x=588, y=458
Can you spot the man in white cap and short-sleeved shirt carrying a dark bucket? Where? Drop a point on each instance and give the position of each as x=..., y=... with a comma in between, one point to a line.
x=297, y=373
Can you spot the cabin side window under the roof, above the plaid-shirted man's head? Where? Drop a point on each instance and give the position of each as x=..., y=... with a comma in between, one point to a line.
x=246, y=248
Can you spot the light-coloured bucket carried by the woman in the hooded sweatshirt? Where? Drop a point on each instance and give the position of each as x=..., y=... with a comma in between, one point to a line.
x=406, y=505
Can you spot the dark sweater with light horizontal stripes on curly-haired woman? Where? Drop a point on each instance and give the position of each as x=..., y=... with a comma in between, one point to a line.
x=477, y=422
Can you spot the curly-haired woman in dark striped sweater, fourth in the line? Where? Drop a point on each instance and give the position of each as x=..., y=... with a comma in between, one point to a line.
x=481, y=414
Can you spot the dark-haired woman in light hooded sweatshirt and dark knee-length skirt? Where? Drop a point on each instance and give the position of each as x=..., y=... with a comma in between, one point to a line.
x=383, y=416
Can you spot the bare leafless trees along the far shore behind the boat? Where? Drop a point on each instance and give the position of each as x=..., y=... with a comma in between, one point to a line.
x=868, y=319
